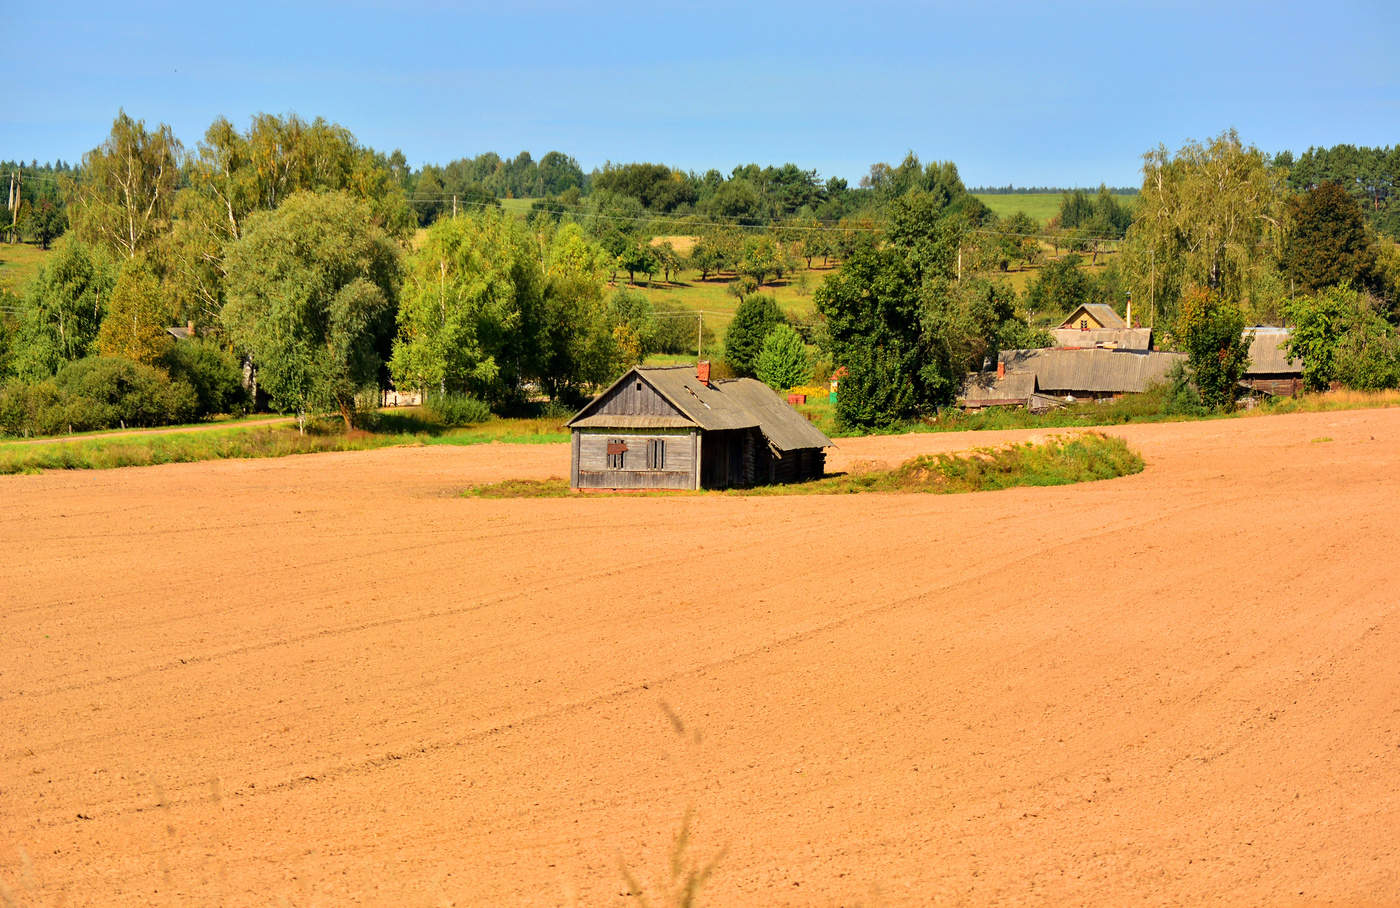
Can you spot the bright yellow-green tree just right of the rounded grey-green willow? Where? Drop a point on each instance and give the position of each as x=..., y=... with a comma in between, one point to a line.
x=472, y=310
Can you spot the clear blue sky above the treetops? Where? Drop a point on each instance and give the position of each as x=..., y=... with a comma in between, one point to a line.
x=1027, y=94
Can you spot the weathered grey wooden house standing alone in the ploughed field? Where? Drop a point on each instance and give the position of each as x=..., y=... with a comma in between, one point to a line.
x=671, y=427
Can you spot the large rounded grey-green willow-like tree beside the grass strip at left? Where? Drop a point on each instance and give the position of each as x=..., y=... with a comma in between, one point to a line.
x=313, y=289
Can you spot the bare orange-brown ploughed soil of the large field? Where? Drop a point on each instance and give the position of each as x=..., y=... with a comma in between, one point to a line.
x=328, y=681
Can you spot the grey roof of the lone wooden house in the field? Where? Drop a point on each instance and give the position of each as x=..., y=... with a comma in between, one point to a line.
x=722, y=405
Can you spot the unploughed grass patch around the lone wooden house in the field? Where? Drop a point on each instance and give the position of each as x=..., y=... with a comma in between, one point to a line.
x=1056, y=462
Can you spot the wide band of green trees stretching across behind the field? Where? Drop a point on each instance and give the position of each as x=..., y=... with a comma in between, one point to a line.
x=290, y=250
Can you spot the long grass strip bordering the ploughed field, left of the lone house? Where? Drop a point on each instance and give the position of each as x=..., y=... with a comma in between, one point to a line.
x=383, y=430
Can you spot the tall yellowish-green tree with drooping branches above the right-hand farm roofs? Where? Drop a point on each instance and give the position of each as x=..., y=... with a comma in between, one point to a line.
x=1212, y=216
